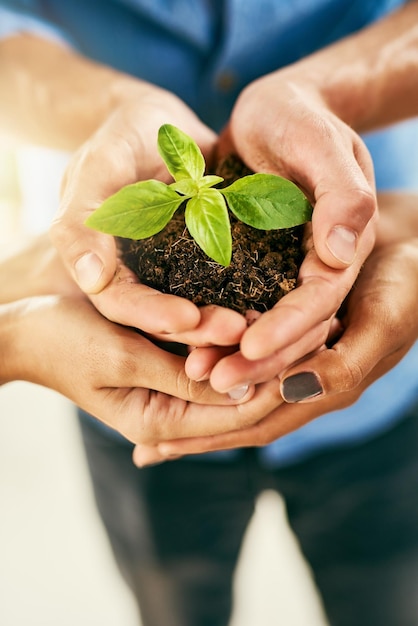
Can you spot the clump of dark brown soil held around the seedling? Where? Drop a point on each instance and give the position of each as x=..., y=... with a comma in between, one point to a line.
x=264, y=265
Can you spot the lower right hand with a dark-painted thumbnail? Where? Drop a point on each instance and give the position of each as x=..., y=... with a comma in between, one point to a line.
x=380, y=325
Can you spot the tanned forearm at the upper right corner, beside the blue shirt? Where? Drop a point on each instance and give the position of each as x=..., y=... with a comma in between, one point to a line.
x=368, y=79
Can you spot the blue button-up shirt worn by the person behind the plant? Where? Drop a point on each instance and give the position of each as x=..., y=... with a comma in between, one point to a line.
x=206, y=51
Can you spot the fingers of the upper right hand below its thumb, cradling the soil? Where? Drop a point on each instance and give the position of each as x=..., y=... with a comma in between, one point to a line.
x=300, y=323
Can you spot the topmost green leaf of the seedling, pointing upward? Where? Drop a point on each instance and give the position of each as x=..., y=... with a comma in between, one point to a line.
x=180, y=153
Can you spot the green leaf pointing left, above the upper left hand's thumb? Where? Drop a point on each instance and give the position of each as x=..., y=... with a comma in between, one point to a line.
x=136, y=211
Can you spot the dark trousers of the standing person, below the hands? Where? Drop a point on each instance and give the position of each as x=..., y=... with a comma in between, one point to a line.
x=176, y=528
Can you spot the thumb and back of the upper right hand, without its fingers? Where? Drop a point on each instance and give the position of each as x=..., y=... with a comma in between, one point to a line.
x=299, y=137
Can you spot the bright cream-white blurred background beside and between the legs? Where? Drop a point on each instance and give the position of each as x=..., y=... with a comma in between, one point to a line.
x=56, y=566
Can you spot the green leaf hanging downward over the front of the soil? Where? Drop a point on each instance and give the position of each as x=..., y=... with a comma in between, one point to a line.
x=208, y=223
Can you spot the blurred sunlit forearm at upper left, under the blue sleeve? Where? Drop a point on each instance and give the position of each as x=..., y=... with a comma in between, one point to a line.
x=55, y=97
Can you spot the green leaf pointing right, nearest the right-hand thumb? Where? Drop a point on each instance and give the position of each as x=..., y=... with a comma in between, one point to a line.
x=267, y=202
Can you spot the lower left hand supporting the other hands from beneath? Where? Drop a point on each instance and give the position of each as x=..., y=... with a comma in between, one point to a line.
x=62, y=342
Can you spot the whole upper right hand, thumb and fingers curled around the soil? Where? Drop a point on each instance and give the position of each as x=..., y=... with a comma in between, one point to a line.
x=300, y=138
